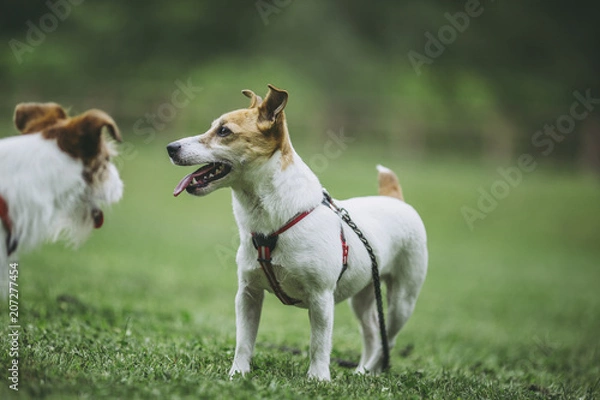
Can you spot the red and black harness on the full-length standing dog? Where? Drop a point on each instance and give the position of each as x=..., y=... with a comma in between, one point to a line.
x=265, y=244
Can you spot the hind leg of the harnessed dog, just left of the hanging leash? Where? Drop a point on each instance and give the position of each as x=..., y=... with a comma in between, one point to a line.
x=363, y=305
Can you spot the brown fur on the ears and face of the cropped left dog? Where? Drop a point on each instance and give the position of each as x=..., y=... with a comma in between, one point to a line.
x=80, y=136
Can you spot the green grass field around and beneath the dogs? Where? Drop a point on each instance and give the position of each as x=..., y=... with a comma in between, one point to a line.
x=145, y=308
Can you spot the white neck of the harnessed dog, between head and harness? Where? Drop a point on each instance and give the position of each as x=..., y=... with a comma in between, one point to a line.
x=268, y=196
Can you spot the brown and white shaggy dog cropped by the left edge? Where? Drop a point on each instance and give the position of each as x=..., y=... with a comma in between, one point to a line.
x=54, y=178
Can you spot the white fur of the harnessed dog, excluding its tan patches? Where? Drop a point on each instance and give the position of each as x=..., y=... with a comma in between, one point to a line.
x=308, y=257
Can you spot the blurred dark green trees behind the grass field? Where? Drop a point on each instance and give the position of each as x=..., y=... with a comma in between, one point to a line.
x=494, y=79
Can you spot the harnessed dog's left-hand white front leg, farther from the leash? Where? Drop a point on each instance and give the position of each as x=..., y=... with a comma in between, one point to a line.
x=248, y=306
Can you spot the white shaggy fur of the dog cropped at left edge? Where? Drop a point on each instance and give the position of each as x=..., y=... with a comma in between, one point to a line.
x=47, y=196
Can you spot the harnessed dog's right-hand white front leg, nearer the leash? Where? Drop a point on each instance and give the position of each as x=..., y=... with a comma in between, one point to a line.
x=320, y=312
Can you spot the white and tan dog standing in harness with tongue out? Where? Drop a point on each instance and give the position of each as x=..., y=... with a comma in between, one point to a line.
x=249, y=150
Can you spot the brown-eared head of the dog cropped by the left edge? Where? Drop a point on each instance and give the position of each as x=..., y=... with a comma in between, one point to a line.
x=81, y=138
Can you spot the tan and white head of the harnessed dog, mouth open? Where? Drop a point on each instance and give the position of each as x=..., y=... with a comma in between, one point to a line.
x=237, y=142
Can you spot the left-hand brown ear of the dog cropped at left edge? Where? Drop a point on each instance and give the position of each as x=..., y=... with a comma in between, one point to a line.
x=34, y=117
